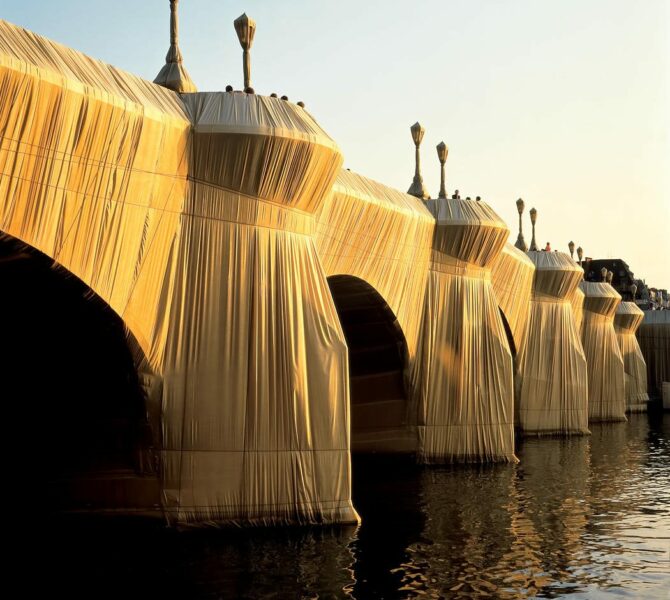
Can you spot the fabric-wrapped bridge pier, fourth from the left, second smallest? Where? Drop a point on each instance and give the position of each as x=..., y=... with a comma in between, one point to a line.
x=607, y=400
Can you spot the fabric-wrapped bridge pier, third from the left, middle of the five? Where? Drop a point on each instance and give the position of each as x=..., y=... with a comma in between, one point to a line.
x=551, y=383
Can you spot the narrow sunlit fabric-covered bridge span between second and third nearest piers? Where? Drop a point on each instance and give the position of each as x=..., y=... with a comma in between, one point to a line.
x=512, y=277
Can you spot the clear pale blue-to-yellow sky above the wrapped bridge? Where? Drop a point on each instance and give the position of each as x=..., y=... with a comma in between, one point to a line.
x=565, y=103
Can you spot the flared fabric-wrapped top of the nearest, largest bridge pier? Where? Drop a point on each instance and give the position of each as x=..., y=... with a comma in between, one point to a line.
x=262, y=147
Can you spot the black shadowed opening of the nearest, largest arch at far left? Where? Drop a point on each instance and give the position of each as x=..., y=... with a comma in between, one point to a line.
x=71, y=388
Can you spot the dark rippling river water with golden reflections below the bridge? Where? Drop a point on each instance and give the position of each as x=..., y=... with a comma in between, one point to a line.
x=583, y=516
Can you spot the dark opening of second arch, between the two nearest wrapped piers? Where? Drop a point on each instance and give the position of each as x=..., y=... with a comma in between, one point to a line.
x=378, y=360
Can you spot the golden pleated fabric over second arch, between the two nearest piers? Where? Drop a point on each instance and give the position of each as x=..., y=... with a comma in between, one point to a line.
x=383, y=236
